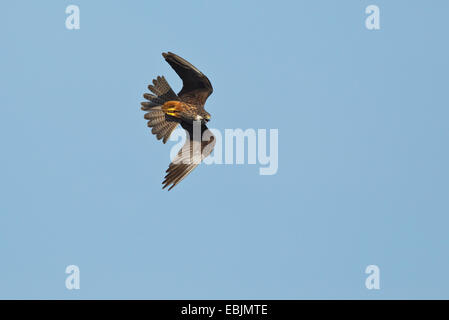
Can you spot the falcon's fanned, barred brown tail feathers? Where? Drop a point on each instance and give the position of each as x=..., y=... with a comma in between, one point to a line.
x=161, y=126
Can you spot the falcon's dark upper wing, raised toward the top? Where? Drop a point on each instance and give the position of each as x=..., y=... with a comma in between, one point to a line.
x=196, y=87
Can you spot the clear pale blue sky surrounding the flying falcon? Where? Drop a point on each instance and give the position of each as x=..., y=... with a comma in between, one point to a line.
x=363, y=151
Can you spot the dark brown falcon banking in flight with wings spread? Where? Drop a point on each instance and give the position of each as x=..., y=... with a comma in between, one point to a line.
x=166, y=109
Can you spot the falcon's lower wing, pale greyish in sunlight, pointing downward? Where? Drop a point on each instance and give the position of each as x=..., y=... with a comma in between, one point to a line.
x=194, y=150
